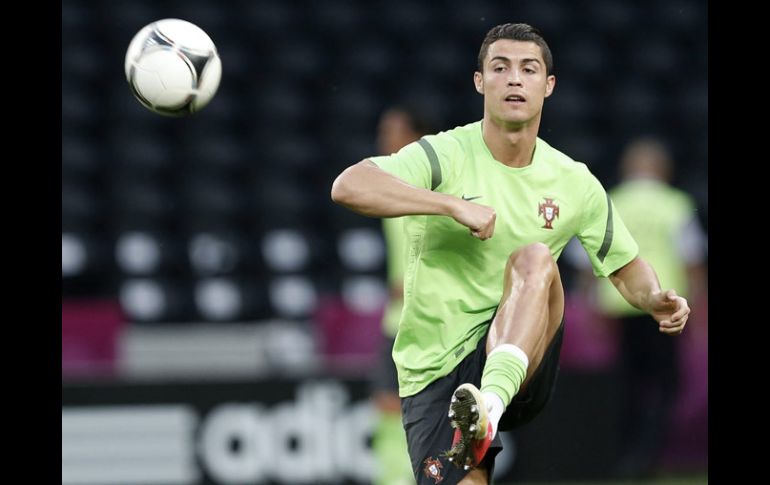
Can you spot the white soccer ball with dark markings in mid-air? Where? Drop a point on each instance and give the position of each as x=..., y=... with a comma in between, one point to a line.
x=173, y=67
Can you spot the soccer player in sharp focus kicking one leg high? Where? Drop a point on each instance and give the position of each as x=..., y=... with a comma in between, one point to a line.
x=489, y=208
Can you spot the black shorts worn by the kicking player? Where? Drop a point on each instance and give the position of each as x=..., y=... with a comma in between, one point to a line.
x=428, y=432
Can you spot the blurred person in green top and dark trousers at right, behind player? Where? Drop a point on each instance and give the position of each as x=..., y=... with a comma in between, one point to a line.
x=663, y=221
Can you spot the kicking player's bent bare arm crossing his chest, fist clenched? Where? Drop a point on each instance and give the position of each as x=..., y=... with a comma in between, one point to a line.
x=368, y=190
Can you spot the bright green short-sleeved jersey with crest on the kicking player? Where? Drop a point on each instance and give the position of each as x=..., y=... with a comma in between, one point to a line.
x=453, y=282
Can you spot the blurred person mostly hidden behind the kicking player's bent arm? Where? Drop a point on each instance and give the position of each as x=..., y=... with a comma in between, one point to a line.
x=398, y=127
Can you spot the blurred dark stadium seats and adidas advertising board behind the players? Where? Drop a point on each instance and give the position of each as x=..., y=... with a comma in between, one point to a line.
x=209, y=285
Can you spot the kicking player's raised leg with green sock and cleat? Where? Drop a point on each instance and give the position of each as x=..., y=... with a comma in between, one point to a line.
x=527, y=319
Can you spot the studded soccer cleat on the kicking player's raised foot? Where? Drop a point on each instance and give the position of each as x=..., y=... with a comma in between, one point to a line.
x=473, y=431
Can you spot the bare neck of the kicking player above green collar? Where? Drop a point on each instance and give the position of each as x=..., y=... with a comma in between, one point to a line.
x=511, y=146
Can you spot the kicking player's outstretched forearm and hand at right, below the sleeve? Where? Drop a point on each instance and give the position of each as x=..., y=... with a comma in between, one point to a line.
x=639, y=285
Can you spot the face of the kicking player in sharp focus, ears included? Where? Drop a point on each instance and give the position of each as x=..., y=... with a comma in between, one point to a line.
x=514, y=82
